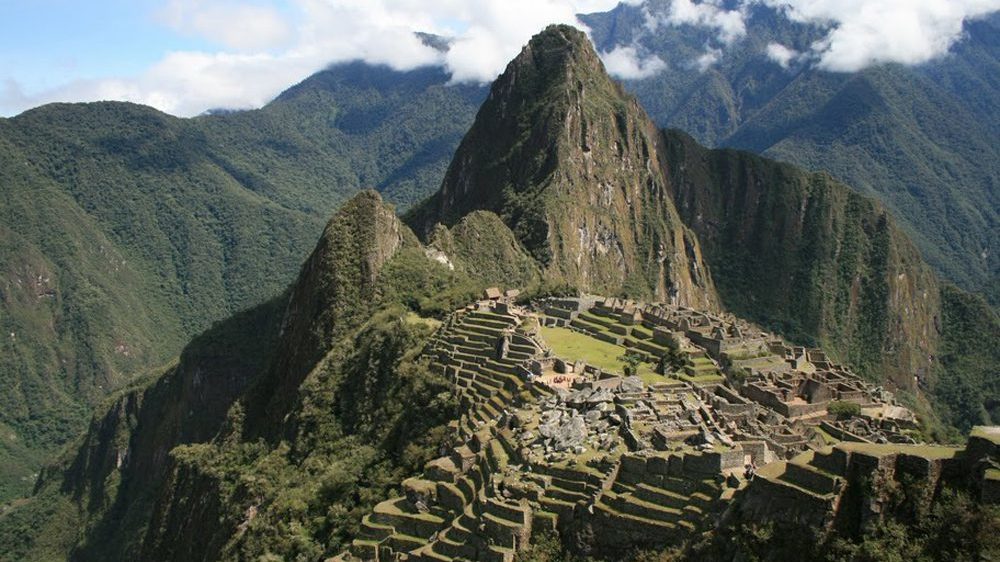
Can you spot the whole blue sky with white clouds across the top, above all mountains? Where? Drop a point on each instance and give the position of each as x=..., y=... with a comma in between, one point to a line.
x=188, y=56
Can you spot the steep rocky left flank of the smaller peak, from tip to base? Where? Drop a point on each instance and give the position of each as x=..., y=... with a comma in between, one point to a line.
x=124, y=475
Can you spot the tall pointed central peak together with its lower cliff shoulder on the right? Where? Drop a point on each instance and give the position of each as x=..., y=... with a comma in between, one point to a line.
x=605, y=202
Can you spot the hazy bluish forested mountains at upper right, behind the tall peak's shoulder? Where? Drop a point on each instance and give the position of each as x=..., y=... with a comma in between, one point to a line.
x=919, y=139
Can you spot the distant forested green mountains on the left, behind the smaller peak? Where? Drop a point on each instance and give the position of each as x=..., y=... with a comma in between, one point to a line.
x=124, y=231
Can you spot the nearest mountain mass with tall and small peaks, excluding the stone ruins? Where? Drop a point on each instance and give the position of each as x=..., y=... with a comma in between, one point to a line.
x=278, y=429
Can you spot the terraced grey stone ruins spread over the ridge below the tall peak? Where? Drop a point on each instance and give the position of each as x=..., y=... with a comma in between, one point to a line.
x=550, y=444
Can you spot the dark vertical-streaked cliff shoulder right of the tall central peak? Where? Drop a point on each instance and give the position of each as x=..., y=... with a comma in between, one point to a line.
x=809, y=256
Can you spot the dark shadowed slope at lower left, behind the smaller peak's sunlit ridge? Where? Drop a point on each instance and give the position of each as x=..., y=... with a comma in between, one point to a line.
x=111, y=479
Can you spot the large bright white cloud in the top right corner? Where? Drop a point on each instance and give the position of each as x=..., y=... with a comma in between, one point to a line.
x=867, y=32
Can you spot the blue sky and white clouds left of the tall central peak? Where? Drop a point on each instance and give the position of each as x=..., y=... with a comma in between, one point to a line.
x=187, y=56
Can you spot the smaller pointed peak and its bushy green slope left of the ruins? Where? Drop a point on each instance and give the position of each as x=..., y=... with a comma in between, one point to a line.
x=318, y=408
